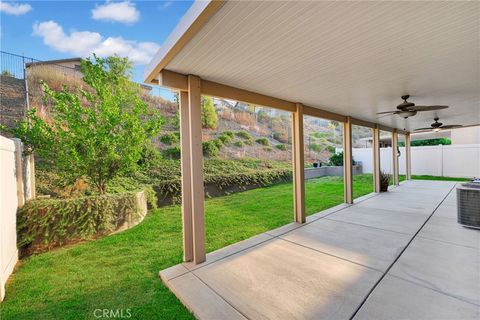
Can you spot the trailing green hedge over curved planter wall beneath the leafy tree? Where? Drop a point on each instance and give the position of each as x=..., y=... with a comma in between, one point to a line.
x=46, y=223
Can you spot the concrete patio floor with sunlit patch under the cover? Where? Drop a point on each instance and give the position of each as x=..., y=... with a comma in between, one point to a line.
x=396, y=255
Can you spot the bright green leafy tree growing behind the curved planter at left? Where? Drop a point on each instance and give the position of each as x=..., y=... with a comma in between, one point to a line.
x=99, y=131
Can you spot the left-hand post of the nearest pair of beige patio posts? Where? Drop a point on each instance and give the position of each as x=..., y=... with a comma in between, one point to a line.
x=186, y=177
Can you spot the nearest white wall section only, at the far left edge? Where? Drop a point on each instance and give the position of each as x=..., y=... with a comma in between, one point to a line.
x=8, y=207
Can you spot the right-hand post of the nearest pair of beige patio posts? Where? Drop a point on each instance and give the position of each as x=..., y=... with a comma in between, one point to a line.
x=196, y=164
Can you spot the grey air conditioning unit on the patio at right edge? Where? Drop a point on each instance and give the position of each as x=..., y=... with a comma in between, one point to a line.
x=468, y=204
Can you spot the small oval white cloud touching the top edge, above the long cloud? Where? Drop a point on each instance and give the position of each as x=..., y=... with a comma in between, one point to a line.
x=124, y=12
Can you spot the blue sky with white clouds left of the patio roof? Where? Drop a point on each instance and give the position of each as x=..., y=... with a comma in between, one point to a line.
x=48, y=30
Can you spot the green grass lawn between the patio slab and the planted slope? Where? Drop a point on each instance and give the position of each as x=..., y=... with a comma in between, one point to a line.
x=121, y=271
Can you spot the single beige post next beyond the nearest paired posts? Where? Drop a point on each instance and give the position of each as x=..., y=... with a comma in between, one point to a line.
x=298, y=164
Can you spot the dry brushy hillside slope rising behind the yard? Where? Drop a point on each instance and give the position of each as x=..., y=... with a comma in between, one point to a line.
x=256, y=132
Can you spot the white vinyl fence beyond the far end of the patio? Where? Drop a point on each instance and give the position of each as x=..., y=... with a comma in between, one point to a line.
x=461, y=160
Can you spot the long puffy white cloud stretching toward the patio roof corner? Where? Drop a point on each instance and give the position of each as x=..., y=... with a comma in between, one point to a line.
x=84, y=43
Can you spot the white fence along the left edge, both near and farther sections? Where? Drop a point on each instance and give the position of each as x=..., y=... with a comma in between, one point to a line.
x=16, y=187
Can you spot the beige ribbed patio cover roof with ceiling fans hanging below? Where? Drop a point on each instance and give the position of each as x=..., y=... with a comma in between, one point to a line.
x=351, y=58
